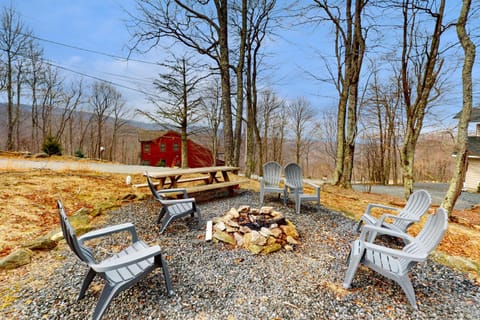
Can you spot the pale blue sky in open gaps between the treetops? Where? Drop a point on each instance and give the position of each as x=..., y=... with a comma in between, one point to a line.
x=100, y=25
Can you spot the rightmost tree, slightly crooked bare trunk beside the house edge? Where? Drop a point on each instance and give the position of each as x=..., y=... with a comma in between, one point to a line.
x=462, y=136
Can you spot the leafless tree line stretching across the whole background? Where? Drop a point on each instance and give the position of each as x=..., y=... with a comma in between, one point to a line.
x=388, y=78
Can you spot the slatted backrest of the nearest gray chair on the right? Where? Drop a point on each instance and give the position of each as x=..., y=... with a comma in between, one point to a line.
x=429, y=237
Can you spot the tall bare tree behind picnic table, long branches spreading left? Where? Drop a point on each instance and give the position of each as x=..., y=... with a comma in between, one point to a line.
x=198, y=25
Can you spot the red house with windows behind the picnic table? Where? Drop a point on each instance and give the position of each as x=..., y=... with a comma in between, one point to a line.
x=163, y=149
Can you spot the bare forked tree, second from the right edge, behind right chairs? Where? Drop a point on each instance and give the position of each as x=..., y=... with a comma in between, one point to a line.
x=425, y=65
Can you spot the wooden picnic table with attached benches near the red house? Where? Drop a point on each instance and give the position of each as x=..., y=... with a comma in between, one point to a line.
x=173, y=177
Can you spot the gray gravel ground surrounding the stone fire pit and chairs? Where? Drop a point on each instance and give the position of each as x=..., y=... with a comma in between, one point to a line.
x=213, y=282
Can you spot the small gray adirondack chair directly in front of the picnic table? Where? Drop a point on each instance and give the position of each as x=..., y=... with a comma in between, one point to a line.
x=173, y=208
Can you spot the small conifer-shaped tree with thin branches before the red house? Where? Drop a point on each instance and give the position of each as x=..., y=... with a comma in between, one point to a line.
x=178, y=98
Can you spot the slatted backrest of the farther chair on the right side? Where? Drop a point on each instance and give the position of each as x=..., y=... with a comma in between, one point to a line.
x=416, y=206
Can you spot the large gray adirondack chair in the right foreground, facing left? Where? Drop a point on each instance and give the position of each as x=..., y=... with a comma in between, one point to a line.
x=395, y=264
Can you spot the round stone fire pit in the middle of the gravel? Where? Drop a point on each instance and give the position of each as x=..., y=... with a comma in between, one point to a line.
x=257, y=230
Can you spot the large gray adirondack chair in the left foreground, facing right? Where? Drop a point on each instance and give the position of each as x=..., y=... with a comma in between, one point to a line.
x=121, y=270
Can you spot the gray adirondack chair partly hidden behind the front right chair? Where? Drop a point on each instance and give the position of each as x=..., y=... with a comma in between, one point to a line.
x=416, y=206
